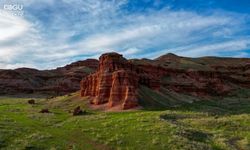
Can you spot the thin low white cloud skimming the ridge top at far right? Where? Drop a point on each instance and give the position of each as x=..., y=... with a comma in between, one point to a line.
x=211, y=49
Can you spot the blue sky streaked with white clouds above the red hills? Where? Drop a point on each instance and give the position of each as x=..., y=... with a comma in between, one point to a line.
x=46, y=34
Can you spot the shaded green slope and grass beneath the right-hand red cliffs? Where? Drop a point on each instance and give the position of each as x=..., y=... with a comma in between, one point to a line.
x=236, y=102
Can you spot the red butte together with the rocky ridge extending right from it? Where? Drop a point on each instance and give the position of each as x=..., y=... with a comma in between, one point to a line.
x=118, y=80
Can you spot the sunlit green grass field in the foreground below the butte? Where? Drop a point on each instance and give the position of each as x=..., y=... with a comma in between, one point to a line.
x=223, y=124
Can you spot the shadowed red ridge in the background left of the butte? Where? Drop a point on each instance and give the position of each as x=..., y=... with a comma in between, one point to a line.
x=57, y=81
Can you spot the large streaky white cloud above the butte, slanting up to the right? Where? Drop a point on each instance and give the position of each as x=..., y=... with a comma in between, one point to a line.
x=168, y=27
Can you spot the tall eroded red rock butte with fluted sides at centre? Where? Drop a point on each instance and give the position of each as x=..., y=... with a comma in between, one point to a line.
x=116, y=82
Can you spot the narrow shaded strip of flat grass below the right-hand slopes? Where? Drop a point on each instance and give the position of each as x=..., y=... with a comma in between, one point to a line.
x=216, y=106
